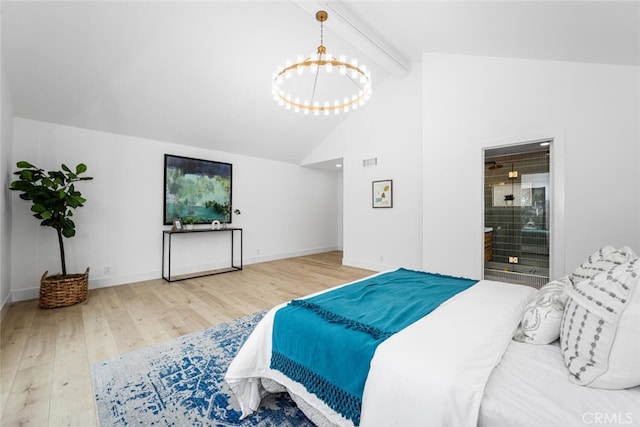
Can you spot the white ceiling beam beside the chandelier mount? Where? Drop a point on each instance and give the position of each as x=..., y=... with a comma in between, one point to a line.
x=352, y=29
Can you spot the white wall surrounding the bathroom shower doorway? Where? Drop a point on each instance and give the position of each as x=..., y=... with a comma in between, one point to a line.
x=475, y=102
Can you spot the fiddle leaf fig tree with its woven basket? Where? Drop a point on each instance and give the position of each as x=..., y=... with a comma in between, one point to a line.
x=53, y=198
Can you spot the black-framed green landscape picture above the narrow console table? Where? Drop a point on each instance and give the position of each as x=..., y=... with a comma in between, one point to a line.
x=197, y=188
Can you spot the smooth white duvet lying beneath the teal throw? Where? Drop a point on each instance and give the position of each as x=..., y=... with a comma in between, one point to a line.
x=432, y=373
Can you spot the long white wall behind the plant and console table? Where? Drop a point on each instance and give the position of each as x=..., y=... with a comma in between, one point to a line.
x=287, y=210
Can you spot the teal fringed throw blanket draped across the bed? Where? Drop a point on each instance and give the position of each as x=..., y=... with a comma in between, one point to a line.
x=327, y=342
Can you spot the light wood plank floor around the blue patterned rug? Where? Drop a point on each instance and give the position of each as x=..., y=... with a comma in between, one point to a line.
x=46, y=354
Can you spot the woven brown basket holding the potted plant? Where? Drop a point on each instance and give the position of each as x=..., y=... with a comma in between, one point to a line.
x=63, y=291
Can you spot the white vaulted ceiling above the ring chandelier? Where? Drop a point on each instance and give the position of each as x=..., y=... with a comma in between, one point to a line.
x=199, y=73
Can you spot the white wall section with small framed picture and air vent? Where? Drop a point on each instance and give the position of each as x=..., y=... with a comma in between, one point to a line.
x=388, y=128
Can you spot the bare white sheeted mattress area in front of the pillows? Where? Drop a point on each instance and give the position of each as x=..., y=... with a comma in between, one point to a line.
x=530, y=387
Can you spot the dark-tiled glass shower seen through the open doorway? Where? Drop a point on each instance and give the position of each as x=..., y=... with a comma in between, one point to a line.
x=521, y=227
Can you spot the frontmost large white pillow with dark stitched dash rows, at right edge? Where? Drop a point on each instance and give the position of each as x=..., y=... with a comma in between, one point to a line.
x=600, y=330
